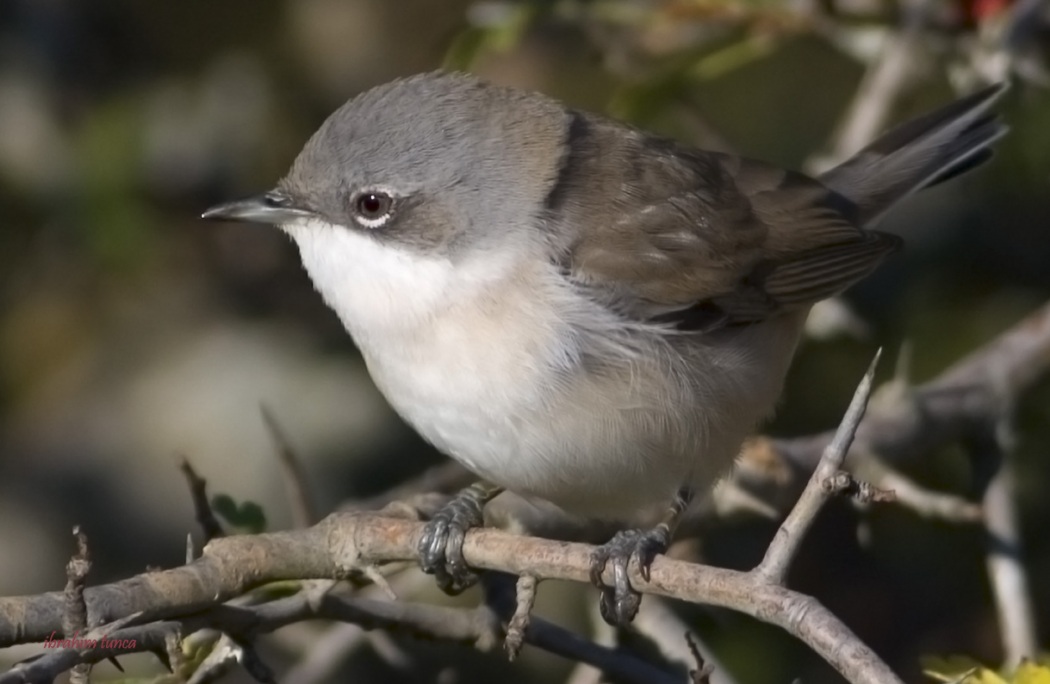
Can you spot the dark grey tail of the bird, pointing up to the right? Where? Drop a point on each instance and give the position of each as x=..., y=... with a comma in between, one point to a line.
x=919, y=154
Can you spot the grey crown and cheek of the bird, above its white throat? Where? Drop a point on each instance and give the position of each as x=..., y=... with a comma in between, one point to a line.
x=458, y=155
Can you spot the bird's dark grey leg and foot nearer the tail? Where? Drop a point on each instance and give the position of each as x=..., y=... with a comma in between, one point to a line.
x=620, y=603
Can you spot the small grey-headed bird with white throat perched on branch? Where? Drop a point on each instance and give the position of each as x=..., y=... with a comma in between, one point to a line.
x=576, y=310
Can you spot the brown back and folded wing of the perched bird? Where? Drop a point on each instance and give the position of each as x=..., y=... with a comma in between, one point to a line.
x=700, y=240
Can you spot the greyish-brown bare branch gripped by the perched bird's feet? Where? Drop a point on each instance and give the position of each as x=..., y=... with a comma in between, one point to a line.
x=342, y=543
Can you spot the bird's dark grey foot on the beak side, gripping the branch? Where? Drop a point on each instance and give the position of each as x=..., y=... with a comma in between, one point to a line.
x=442, y=547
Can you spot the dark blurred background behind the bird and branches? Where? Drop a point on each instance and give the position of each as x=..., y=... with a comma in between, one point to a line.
x=133, y=334
